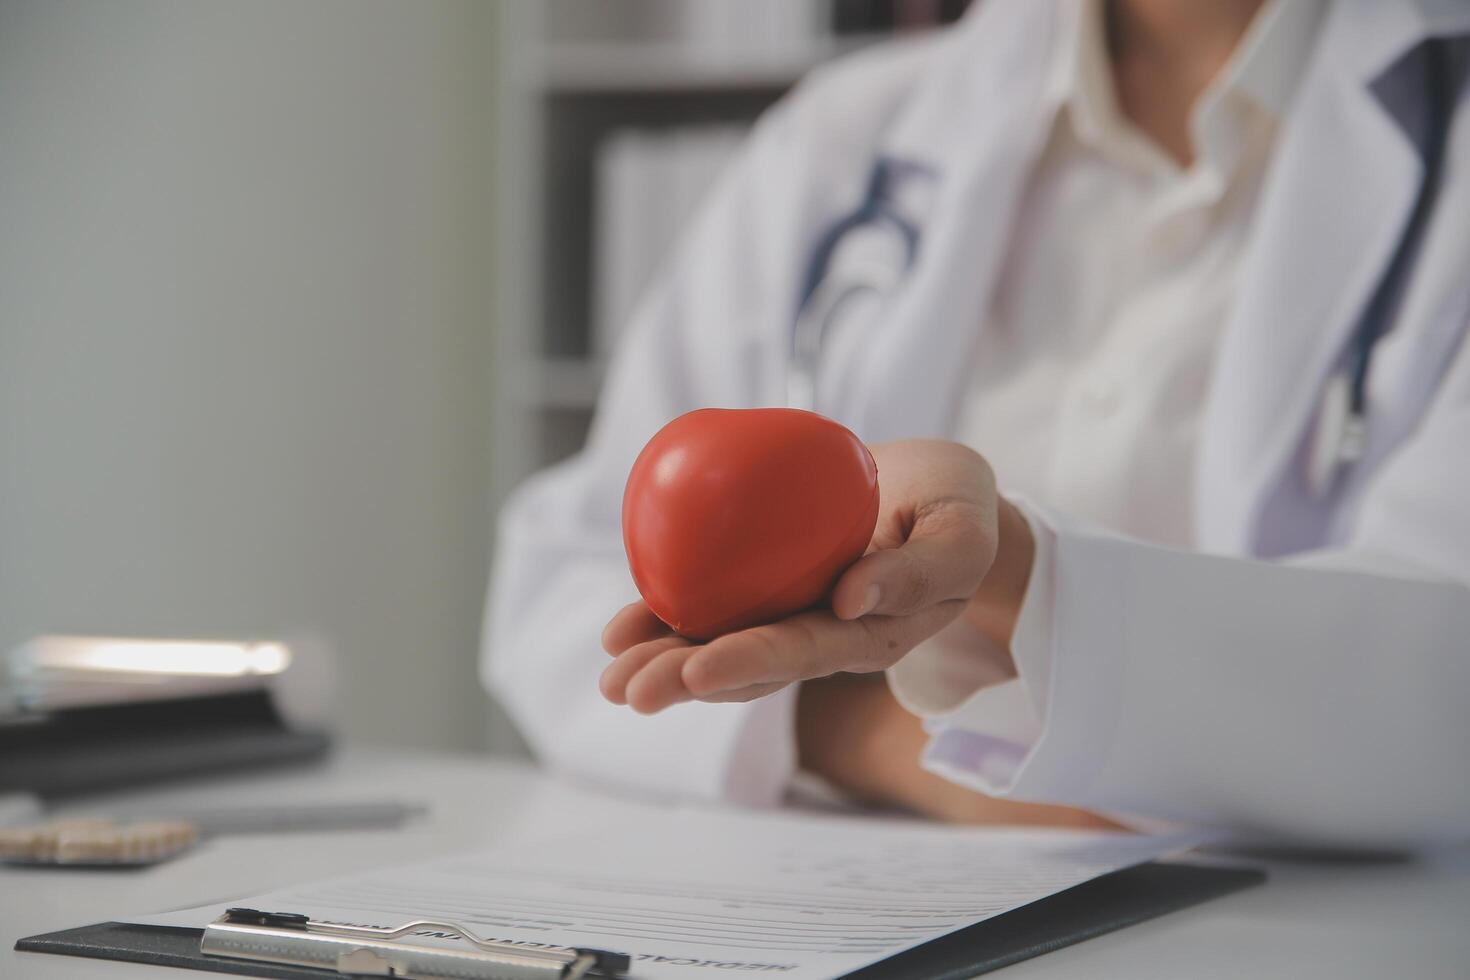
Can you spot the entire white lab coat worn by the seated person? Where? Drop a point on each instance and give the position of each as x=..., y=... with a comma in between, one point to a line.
x=1305, y=675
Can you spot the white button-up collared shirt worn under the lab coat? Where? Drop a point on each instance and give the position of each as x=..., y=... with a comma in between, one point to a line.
x=1093, y=365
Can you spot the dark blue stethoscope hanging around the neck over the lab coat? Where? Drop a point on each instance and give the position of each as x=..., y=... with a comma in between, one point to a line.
x=868, y=253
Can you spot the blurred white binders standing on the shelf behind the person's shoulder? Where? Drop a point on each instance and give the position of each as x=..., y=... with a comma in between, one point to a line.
x=649, y=186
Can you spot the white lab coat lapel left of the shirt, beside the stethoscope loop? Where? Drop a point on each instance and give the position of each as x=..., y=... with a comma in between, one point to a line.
x=978, y=123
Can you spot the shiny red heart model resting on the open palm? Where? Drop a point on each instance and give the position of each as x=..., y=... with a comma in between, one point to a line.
x=742, y=516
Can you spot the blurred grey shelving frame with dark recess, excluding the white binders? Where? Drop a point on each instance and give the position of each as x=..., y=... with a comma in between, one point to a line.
x=574, y=71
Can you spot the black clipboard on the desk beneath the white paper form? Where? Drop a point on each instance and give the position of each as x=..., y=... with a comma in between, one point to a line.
x=1093, y=909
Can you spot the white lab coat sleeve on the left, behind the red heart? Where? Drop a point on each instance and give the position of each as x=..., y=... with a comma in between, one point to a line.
x=702, y=337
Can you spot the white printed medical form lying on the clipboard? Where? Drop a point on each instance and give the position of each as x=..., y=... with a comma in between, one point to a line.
x=696, y=893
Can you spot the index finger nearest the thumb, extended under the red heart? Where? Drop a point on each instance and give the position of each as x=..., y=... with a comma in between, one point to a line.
x=809, y=646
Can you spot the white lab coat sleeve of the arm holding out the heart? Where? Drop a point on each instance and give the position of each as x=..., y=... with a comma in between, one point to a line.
x=1321, y=699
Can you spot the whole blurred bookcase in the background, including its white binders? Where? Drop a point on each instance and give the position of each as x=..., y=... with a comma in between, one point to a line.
x=621, y=127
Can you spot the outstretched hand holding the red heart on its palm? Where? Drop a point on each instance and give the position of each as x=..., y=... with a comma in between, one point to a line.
x=940, y=531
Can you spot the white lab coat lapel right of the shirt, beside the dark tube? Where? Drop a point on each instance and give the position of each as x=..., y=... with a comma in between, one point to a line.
x=1330, y=218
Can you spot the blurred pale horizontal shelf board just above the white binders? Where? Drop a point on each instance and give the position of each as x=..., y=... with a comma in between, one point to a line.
x=640, y=67
